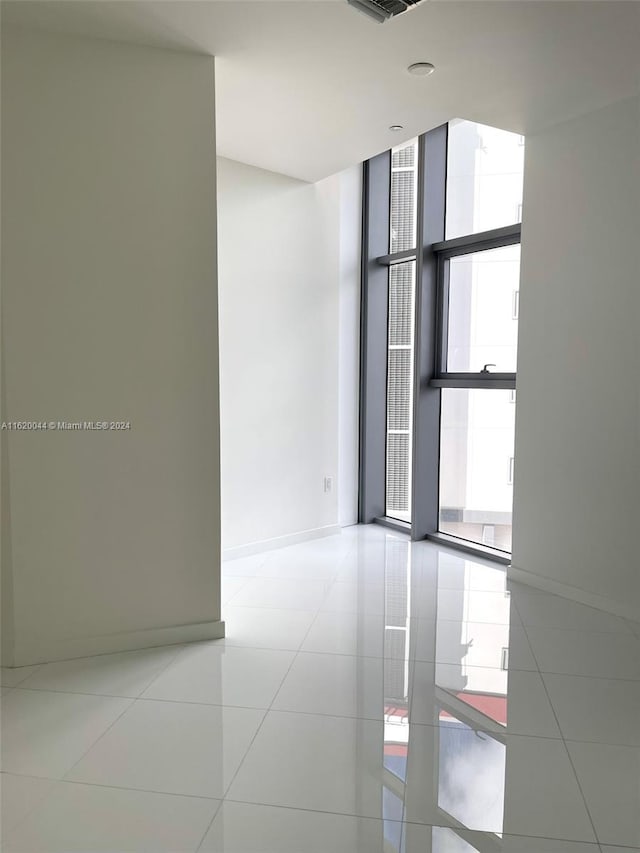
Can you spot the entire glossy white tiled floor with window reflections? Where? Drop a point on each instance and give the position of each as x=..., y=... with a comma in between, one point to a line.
x=372, y=696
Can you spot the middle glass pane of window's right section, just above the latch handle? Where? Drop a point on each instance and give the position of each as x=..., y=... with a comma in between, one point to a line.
x=482, y=323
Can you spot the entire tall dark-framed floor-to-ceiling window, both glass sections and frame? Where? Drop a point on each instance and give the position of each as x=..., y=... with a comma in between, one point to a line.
x=450, y=204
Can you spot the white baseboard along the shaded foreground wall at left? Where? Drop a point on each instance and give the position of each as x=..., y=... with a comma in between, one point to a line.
x=66, y=648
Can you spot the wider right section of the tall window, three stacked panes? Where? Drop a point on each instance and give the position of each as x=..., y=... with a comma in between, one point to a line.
x=478, y=293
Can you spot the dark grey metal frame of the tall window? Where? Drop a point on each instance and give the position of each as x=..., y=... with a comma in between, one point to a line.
x=432, y=254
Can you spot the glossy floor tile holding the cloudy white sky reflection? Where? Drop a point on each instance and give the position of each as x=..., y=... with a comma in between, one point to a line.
x=493, y=783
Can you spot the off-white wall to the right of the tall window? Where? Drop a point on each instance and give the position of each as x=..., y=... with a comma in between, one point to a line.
x=577, y=485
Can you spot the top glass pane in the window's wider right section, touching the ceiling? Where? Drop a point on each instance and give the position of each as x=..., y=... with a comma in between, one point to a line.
x=484, y=178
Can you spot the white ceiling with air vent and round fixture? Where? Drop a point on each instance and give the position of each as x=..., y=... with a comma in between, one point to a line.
x=308, y=88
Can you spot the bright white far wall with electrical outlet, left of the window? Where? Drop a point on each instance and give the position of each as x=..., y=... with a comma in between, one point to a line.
x=281, y=261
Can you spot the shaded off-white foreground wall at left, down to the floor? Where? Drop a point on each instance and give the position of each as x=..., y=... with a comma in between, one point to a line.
x=110, y=313
